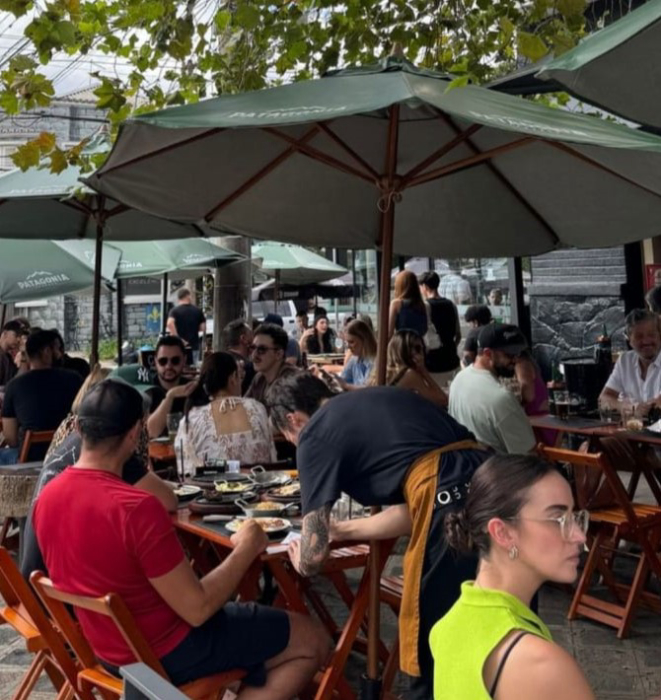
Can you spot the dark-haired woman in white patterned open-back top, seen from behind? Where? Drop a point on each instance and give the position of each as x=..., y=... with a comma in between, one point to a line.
x=218, y=424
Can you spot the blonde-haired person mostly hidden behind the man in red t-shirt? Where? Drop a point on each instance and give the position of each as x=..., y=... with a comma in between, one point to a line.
x=64, y=451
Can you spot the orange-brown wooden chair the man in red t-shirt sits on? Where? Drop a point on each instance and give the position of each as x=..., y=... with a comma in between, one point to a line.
x=93, y=676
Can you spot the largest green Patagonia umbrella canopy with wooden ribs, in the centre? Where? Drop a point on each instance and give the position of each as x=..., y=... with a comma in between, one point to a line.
x=469, y=171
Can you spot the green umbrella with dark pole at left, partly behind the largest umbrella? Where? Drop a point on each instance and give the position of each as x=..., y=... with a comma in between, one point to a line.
x=37, y=204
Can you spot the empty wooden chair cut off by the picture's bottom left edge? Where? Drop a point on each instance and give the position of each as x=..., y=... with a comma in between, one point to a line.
x=23, y=613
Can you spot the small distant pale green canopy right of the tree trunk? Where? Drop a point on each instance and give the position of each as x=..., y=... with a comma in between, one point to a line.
x=294, y=264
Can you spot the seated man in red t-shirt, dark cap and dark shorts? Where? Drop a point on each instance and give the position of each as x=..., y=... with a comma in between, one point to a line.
x=100, y=535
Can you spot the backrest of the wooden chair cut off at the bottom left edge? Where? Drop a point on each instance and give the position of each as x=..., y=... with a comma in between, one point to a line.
x=20, y=599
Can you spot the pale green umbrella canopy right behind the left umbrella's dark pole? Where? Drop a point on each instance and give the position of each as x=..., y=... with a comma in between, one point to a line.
x=148, y=258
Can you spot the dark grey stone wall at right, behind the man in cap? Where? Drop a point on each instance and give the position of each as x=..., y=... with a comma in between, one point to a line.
x=573, y=295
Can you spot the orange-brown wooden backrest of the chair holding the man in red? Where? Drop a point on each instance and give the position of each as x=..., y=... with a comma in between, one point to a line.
x=110, y=605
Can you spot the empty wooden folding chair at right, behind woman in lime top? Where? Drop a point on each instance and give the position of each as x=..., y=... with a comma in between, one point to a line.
x=610, y=524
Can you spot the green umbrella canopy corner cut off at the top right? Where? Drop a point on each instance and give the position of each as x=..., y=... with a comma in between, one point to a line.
x=617, y=68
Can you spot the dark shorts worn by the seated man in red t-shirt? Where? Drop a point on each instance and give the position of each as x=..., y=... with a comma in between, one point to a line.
x=239, y=636
